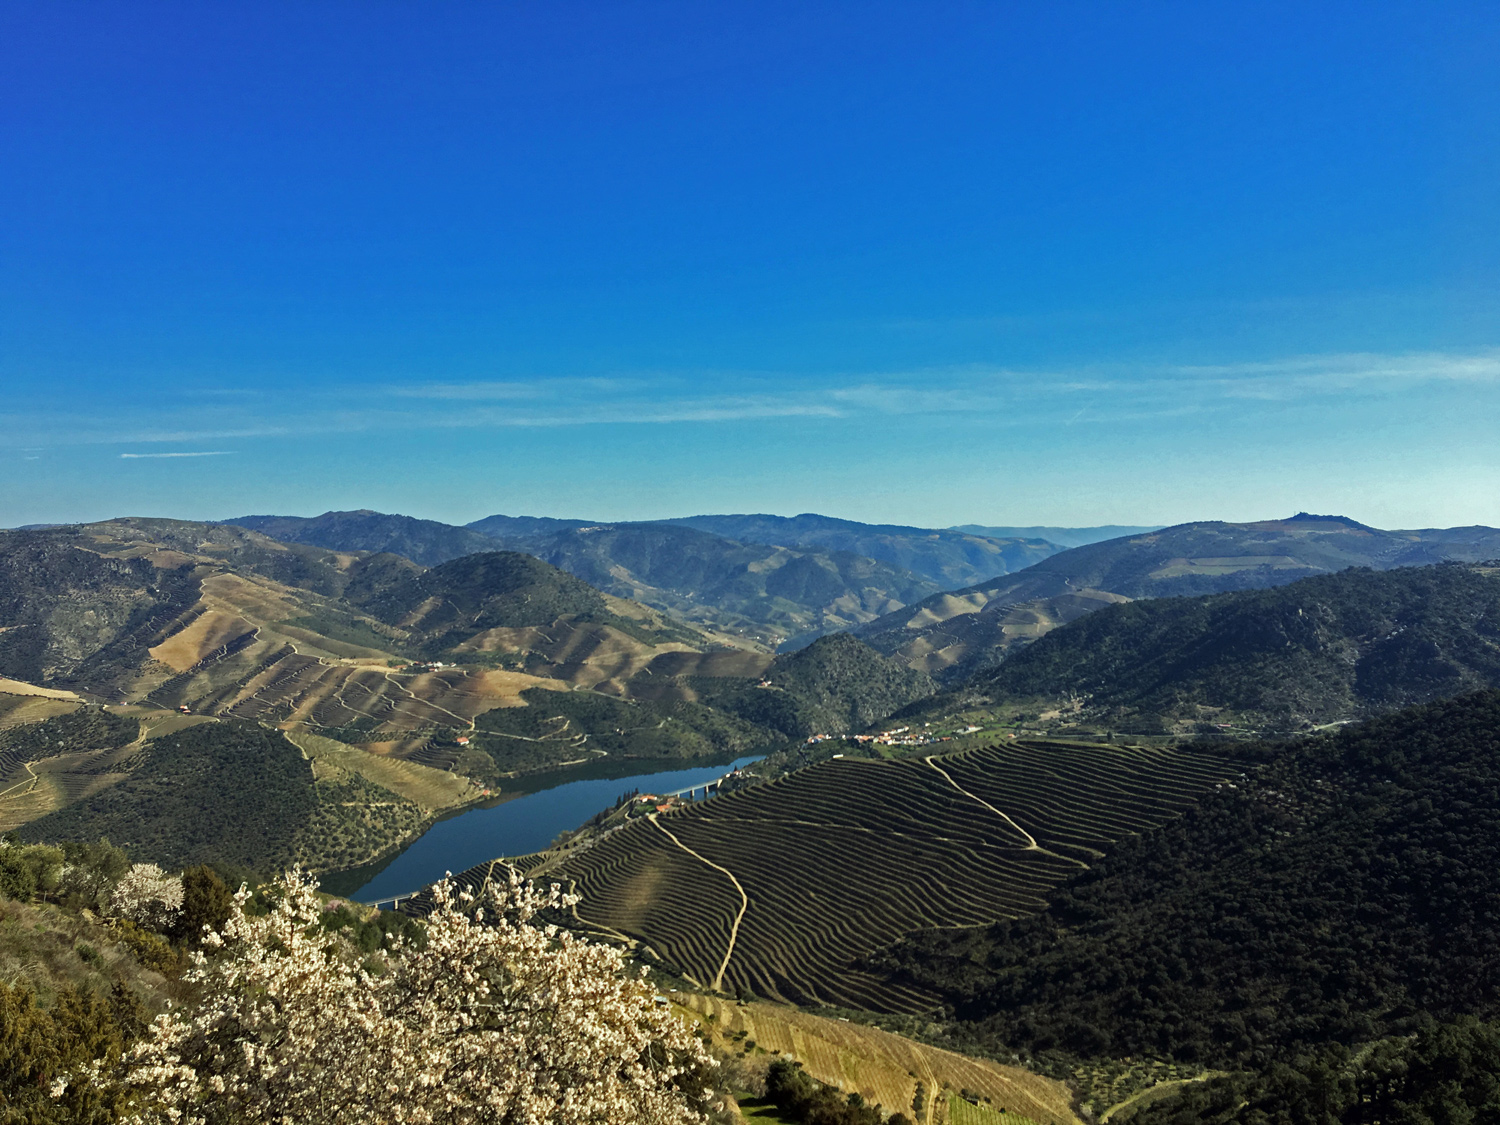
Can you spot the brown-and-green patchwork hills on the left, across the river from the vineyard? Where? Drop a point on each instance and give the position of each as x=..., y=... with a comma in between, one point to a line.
x=340, y=700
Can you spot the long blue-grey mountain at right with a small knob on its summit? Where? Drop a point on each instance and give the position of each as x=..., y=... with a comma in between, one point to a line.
x=964, y=632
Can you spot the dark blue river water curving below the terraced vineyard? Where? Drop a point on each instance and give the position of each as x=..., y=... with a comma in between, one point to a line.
x=517, y=827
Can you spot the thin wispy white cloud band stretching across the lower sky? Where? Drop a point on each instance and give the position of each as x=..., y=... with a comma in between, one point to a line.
x=1094, y=395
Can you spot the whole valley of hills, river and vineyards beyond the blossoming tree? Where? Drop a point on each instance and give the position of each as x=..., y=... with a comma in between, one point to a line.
x=937, y=815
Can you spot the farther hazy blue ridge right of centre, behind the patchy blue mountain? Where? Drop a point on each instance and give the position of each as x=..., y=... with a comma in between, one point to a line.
x=947, y=557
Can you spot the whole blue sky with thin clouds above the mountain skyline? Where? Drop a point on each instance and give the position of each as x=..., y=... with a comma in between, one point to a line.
x=926, y=263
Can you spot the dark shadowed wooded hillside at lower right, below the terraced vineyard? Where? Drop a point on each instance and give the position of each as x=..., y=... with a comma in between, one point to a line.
x=1345, y=890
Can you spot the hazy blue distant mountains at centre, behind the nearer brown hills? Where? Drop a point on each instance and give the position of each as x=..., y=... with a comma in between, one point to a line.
x=776, y=581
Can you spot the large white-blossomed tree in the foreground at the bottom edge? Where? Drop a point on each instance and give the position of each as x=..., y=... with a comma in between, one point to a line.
x=496, y=1019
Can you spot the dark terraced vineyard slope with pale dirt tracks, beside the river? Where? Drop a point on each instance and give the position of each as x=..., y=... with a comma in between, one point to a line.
x=782, y=890
